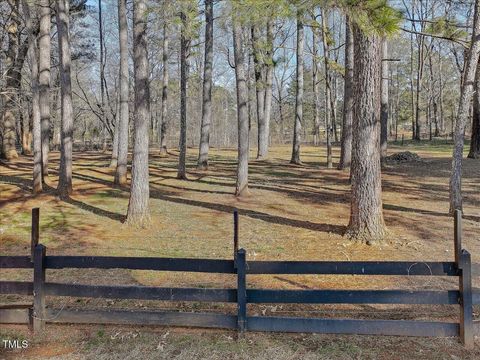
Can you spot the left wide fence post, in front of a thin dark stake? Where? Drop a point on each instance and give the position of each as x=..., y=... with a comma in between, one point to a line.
x=39, y=310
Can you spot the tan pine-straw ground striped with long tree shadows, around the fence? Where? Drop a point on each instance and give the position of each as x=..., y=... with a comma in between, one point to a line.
x=291, y=213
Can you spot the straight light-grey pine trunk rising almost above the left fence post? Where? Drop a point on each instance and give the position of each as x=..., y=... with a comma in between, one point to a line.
x=44, y=49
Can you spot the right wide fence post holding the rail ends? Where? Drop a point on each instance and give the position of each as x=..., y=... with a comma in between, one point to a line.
x=466, y=308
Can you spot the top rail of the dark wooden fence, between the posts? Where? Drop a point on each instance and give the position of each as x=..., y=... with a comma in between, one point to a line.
x=401, y=268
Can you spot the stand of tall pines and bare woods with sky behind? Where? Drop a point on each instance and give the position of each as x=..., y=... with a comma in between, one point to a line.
x=127, y=76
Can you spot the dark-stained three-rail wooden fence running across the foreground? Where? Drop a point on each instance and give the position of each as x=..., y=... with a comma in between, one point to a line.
x=37, y=314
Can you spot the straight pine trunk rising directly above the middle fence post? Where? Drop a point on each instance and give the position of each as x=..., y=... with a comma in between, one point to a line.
x=242, y=109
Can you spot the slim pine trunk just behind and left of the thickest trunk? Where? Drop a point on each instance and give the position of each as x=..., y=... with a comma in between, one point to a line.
x=346, y=147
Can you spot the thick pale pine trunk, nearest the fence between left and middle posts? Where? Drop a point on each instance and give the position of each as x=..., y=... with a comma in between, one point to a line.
x=138, y=213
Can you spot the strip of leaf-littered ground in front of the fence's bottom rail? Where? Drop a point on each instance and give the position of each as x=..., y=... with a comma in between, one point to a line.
x=97, y=343
